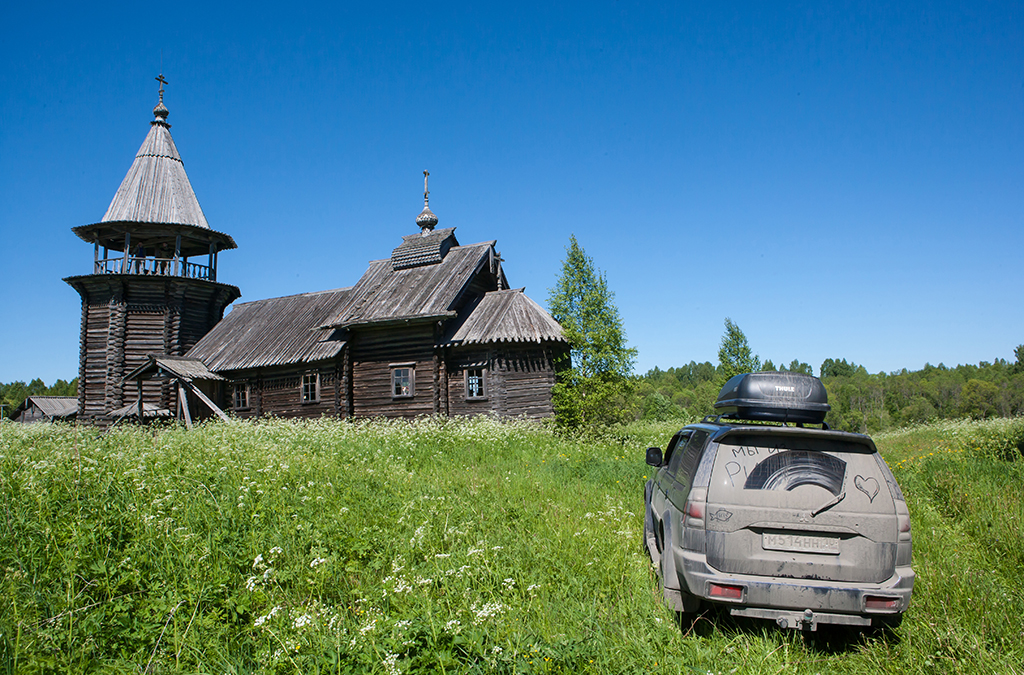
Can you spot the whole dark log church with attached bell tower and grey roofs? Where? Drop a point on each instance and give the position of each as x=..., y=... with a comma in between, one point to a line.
x=433, y=329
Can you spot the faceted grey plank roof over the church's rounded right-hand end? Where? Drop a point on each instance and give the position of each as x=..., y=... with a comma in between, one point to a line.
x=506, y=317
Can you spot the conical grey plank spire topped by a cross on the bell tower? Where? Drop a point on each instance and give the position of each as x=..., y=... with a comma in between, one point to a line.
x=156, y=188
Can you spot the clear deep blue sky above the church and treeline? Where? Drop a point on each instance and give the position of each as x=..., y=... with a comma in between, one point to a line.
x=842, y=181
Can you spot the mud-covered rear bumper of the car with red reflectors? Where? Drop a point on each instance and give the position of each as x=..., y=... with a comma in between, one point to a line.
x=777, y=598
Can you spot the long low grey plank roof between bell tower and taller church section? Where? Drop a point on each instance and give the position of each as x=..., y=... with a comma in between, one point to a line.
x=273, y=332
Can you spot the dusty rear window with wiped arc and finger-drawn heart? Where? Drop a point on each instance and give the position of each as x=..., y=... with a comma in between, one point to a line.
x=789, y=466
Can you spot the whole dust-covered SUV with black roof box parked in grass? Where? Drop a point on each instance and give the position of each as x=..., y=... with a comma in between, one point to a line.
x=754, y=511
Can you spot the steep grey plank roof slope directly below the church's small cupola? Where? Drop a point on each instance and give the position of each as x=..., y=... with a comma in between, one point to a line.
x=426, y=292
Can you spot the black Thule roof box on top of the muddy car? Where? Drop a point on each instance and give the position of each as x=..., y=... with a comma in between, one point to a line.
x=775, y=398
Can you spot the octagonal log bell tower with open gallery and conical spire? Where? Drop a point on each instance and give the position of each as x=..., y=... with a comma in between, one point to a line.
x=154, y=287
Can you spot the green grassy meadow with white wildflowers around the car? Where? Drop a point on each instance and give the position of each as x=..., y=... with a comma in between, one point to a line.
x=466, y=546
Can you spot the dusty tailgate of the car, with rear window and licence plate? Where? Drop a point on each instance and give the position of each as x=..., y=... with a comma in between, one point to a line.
x=800, y=504
